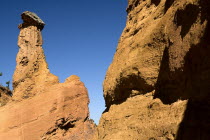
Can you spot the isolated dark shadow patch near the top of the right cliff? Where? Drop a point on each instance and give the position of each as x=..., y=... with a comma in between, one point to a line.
x=186, y=18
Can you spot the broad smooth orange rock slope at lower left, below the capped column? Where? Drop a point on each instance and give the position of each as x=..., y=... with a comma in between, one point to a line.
x=60, y=112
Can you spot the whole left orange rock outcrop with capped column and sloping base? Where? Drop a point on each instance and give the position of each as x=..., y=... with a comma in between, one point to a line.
x=43, y=108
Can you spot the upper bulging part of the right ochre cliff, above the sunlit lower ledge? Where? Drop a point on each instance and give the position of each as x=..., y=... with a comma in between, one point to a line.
x=163, y=33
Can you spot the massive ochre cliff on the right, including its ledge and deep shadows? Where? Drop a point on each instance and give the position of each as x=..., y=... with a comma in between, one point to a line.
x=164, y=48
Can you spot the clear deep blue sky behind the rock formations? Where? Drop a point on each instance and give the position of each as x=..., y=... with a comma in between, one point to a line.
x=80, y=38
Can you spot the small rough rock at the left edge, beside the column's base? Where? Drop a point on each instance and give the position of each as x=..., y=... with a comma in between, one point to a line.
x=5, y=95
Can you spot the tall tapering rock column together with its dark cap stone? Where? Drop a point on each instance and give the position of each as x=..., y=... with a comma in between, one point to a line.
x=32, y=72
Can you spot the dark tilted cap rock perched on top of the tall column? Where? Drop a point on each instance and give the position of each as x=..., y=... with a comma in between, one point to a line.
x=31, y=19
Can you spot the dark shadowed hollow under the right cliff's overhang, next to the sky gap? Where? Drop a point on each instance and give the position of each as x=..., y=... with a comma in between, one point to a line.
x=124, y=89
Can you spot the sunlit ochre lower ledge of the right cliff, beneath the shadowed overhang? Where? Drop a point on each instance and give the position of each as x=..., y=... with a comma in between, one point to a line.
x=141, y=118
